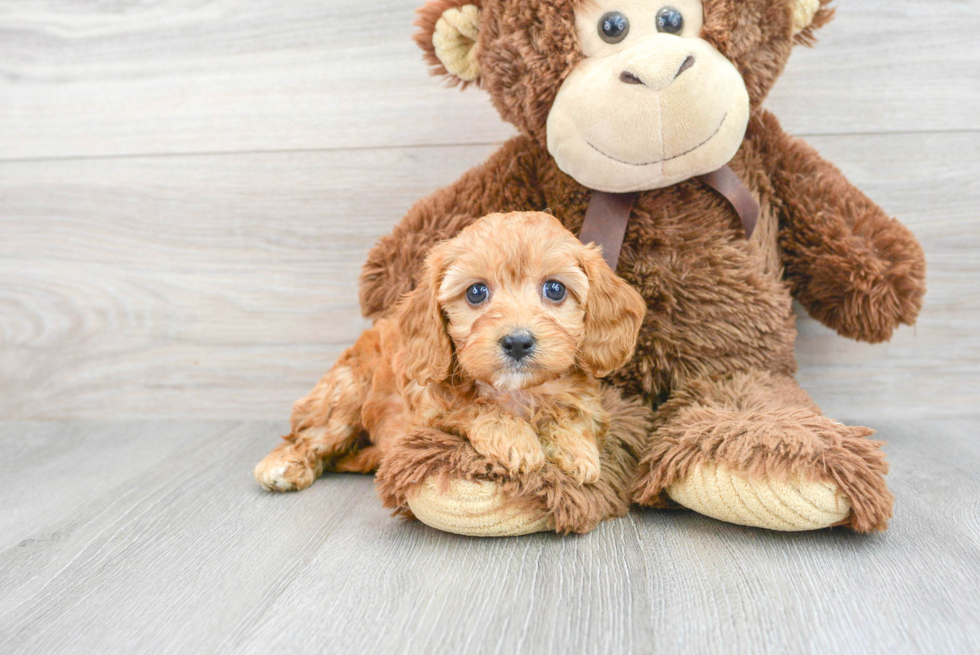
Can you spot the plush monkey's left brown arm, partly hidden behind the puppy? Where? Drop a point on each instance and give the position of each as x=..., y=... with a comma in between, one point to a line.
x=505, y=182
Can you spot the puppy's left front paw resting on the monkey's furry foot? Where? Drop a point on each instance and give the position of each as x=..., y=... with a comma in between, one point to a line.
x=507, y=440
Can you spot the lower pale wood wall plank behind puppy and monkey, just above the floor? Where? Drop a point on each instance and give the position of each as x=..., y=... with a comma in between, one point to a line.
x=222, y=287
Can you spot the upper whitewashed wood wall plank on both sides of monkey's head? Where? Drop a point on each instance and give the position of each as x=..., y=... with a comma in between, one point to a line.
x=86, y=79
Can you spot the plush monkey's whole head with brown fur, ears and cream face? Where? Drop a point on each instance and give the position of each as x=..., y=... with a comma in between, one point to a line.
x=627, y=95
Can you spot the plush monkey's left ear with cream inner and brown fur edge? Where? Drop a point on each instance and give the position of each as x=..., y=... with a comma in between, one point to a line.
x=449, y=36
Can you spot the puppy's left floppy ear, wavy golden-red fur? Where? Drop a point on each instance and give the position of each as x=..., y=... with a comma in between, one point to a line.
x=426, y=352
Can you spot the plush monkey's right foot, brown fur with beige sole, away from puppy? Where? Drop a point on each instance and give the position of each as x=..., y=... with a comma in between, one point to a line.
x=781, y=467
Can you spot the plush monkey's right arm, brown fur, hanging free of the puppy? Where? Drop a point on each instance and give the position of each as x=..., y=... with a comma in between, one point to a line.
x=853, y=267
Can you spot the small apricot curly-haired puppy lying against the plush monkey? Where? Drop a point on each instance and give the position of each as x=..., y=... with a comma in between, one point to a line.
x=501, y=342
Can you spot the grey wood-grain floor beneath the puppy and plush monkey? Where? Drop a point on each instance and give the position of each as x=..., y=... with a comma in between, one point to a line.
x=182, y=552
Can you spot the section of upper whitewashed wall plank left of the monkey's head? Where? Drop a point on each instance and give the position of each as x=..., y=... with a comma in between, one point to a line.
x=213, y=75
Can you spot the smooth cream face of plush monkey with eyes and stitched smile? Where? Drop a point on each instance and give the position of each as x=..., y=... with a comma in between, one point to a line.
x=651, y=103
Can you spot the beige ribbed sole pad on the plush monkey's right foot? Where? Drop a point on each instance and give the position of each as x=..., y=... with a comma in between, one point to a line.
x=792, y=506
